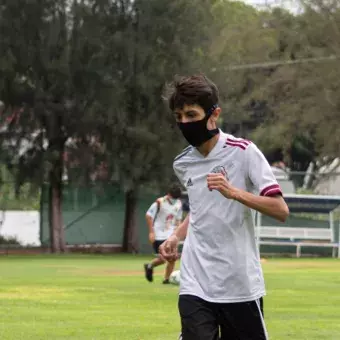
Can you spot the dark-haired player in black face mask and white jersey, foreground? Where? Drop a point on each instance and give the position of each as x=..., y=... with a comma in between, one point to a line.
x=221, y=286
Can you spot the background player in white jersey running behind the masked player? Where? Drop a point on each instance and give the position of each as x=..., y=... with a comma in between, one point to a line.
x=162, y=219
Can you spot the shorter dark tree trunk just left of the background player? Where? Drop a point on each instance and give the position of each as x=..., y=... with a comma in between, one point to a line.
x=130, y=237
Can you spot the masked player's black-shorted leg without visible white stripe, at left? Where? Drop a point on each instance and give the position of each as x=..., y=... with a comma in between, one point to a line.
x=198, y=318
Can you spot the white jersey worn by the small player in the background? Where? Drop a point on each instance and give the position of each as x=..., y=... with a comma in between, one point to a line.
x=166, y=215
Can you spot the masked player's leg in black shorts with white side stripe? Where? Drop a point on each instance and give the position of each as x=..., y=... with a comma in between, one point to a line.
x=242, y=321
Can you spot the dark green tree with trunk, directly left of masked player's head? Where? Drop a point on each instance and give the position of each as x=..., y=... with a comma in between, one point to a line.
x=155, y=39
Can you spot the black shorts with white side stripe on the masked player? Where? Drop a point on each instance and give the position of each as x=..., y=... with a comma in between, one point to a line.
x=202, y=320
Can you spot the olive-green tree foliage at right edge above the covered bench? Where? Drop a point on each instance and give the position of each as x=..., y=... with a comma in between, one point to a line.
x=303, y=98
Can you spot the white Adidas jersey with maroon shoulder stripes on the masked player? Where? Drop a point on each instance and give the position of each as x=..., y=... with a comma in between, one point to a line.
x=220, y=259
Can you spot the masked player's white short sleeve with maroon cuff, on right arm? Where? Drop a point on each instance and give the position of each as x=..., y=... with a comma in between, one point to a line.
x=260, y=173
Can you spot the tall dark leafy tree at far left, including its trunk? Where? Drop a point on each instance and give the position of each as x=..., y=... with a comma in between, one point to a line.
x=51, y=72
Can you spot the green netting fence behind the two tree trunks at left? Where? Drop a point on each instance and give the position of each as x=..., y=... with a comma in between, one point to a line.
x=95, y=215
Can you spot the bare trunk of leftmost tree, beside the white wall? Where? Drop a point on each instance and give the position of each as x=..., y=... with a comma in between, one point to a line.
x=55, y=199
